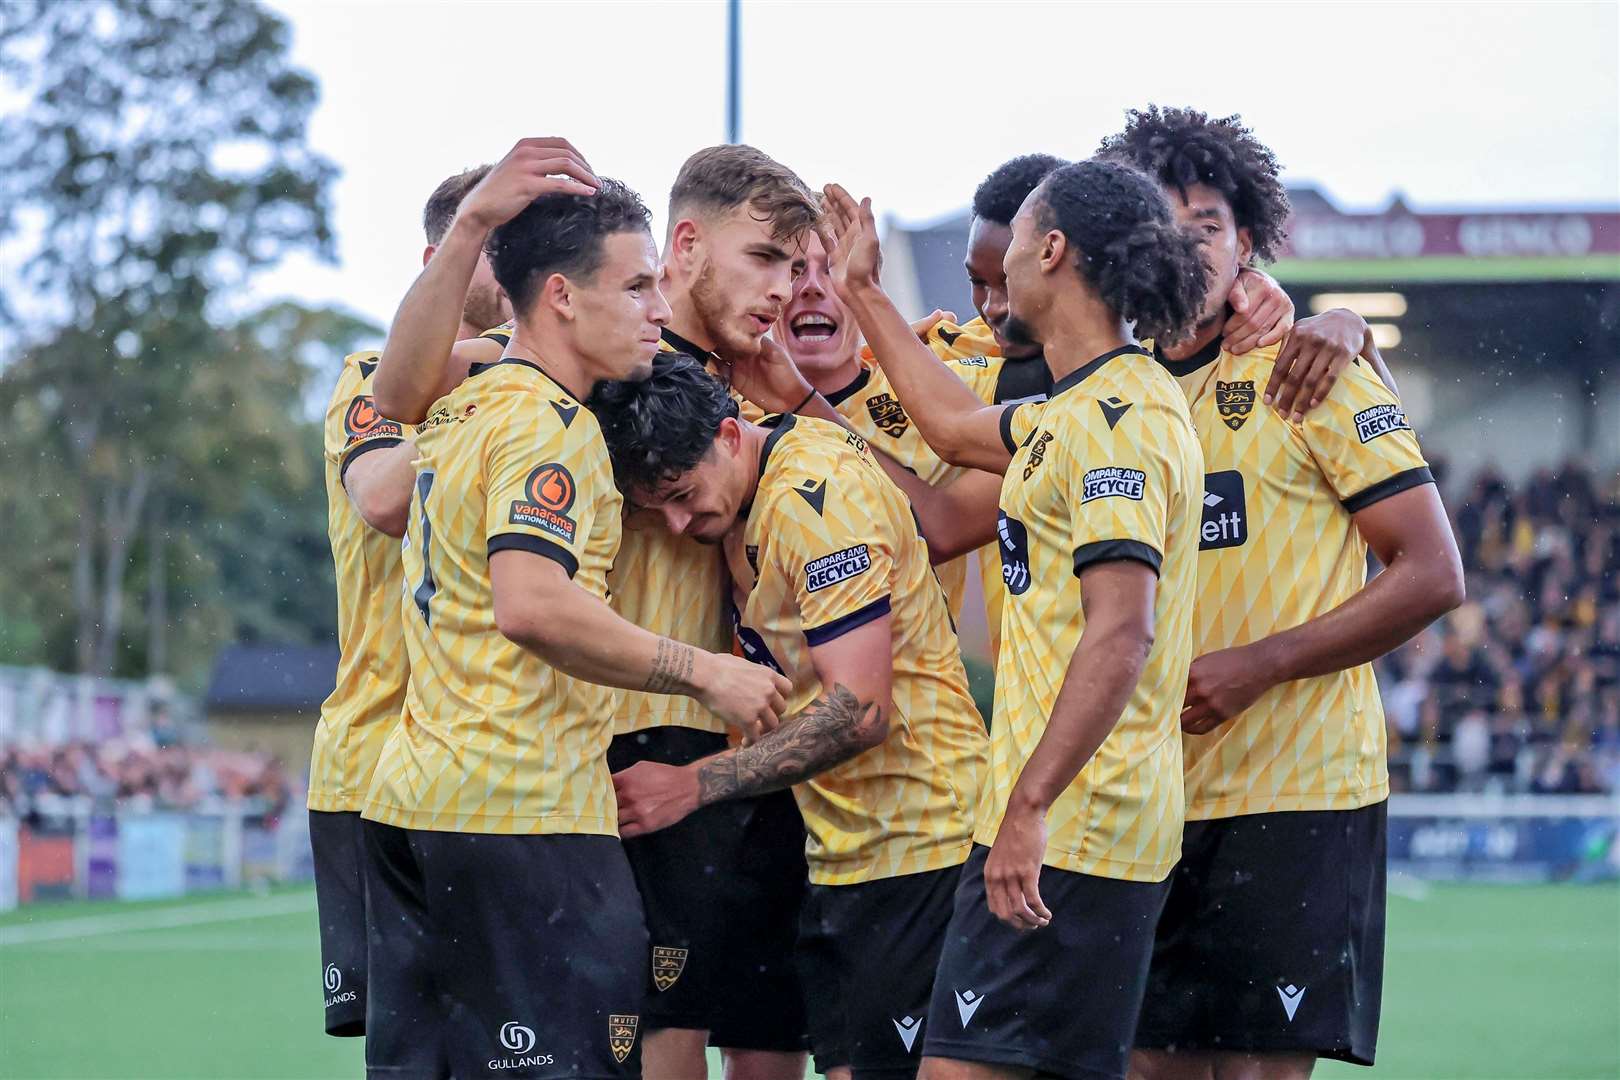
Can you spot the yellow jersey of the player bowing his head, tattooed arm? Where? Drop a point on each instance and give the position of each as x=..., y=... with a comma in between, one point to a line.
x=832, y=546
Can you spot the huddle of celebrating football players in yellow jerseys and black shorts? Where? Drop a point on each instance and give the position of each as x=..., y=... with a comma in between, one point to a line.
x=652, y=729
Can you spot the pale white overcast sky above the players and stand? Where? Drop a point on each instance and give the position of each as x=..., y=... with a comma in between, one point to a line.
x=1452, y=104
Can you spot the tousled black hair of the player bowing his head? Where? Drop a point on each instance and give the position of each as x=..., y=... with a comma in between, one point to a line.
x=662, y=427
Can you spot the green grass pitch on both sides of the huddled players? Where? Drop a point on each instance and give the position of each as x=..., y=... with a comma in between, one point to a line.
x=1481, y=982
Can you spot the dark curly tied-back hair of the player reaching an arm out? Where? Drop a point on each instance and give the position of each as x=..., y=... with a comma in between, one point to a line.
x=1127, y=245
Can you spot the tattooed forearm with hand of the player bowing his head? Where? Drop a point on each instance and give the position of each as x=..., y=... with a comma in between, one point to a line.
x=833, y=729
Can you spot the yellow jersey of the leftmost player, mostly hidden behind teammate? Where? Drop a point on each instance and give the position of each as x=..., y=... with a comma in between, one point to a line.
x=372, y=670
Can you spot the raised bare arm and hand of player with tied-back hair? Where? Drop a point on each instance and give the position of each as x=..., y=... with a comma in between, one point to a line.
x=950, y=417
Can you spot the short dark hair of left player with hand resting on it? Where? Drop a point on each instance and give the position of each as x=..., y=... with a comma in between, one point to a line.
x=561, y=234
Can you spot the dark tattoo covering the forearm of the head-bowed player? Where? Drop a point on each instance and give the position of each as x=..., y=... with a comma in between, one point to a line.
x=825, y=734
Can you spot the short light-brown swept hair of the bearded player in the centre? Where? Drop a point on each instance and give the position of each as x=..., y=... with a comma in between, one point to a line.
x=722, y=179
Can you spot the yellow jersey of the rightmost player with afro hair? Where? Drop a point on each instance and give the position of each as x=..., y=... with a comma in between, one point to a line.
x=1279, y=548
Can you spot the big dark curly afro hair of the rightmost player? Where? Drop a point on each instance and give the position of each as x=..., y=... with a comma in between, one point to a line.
x=1183, y=147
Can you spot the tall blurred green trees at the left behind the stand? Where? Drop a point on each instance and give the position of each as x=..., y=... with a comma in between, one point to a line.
x=163, y=466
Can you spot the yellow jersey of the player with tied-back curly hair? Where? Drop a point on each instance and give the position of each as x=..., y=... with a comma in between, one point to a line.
x=1109, y=469
